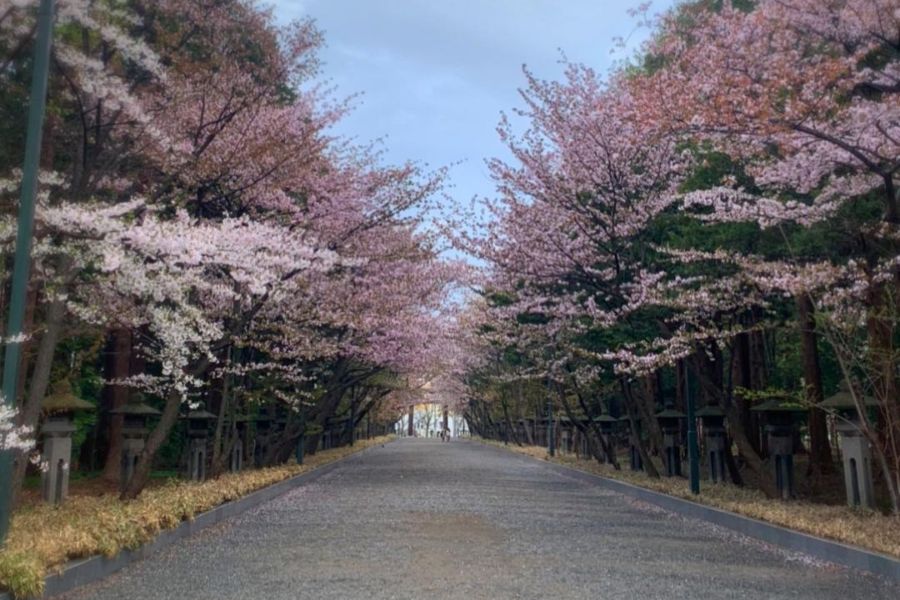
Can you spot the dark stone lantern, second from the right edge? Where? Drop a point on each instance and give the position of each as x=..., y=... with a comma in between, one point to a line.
x=780, y=415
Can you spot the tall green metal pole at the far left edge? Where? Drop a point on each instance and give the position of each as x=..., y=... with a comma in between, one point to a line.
x=22, y=262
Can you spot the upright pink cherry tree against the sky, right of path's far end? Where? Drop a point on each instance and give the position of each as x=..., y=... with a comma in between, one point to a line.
x=569, y=241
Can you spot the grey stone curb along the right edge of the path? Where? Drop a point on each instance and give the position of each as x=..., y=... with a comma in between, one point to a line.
x=820, y=548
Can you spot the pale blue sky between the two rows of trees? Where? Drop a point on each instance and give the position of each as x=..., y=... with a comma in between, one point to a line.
x=436, y=75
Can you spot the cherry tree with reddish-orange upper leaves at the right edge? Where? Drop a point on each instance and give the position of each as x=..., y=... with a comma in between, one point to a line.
x=805, y=95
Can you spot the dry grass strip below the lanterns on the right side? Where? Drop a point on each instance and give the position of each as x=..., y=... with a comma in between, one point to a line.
x=858, y=527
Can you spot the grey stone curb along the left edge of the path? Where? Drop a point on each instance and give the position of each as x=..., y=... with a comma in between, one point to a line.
x=82, y=571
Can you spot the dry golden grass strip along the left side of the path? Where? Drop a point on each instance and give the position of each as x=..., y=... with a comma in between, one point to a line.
x=44, y=537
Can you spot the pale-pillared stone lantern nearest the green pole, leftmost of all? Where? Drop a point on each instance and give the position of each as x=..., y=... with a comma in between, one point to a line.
x=59, y=410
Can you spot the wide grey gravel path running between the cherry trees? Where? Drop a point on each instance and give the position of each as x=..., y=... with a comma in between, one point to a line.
x=421, y=519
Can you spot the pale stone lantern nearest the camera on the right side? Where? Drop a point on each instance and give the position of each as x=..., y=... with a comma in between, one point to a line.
x=855, y=452
